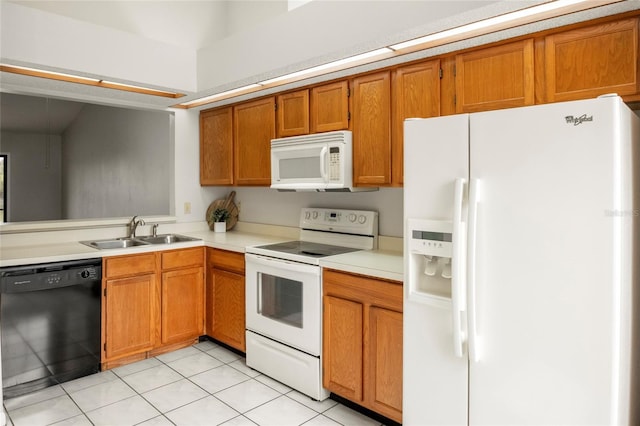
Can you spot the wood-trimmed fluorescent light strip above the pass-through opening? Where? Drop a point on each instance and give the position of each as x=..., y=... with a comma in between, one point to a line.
x=70, y=78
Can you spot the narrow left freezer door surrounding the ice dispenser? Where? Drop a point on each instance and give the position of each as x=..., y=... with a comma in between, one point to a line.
x=435, y=379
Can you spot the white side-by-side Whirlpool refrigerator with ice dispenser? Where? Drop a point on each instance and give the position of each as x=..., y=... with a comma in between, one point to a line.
x=522, y=276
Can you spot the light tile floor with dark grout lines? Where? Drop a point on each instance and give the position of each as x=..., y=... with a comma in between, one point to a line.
x=204, y=384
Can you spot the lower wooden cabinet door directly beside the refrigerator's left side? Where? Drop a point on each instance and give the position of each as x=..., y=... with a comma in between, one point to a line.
x=384, y=380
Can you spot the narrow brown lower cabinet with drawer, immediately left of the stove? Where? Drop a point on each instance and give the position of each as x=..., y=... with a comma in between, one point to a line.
x=225, y=301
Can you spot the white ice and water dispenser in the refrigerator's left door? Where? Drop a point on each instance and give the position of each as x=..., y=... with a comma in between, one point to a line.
x=431, y=251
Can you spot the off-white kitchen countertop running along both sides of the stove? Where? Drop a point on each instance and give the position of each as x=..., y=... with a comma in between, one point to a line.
x=377, y=263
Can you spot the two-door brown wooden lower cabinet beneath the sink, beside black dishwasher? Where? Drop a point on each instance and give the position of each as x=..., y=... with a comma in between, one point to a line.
x=151, y=303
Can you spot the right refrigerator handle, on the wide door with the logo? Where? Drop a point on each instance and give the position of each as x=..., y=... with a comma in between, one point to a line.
x=474, y=197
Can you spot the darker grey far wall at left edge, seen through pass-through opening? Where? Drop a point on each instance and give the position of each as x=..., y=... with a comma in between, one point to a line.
x=34, y=181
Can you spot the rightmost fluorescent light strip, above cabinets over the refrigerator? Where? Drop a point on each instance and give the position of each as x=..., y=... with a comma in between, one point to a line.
x=519, y=17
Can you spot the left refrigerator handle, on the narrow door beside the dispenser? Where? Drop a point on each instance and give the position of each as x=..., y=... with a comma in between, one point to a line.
x=458, y=273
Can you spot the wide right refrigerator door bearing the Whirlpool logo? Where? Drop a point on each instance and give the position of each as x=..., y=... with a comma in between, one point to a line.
x=553, y=216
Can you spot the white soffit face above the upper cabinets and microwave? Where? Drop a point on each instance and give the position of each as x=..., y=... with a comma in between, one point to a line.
x=316, y=33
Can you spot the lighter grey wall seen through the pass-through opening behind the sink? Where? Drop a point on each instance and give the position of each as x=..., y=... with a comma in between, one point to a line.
x=117, y=161
